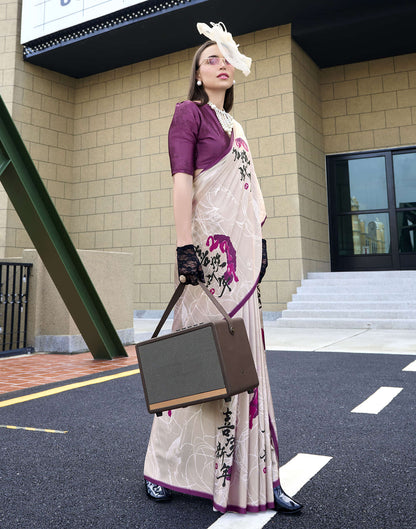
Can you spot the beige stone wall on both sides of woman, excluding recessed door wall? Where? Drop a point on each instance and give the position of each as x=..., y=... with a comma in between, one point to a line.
x=100, y=145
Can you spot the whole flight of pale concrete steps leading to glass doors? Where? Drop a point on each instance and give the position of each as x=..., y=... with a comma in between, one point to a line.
x=385, y=300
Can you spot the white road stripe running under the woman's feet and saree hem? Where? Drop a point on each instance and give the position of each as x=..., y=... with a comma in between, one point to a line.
x=294, y=475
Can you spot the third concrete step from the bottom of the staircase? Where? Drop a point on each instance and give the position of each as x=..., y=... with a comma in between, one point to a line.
x=334, y=305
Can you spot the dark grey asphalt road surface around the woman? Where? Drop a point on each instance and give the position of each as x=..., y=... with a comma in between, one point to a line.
x=91, y=476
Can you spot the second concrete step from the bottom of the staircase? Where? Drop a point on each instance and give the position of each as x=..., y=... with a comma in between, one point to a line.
x=352, y=314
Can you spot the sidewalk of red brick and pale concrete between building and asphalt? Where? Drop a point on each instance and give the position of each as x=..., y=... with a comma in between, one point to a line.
x=35, y=370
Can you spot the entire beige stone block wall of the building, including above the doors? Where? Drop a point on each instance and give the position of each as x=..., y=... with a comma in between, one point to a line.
x=100, y=145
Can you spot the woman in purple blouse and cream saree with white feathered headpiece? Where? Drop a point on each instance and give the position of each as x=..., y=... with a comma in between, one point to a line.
x=226, y=451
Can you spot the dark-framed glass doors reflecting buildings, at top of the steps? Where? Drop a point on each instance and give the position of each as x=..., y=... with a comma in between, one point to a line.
x=372, y=210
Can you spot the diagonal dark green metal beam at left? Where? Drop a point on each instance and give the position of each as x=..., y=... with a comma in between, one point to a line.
x=37, y=212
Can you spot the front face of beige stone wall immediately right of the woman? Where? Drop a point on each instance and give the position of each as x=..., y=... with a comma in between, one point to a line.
x=265, y=108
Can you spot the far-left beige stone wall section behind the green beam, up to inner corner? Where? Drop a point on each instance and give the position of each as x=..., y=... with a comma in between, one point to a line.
x=41, y=104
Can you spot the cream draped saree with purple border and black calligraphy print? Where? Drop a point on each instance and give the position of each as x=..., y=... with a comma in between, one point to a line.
x=226, y=451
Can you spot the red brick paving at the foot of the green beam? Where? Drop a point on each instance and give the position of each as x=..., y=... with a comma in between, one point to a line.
x=34, y=370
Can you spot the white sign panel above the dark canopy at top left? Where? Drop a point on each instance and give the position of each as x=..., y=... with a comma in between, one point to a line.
x=41, y=18
